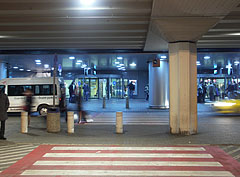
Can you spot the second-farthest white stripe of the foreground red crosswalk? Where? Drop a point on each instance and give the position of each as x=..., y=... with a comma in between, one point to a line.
x=128, y=155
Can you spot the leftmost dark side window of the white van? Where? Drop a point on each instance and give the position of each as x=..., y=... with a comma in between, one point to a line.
x=18, y=90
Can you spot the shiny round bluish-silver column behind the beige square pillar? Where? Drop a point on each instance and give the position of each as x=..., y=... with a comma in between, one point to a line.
x=159, y=85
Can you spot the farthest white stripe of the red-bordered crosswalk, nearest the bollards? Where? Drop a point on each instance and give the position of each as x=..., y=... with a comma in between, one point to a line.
x=130, y=148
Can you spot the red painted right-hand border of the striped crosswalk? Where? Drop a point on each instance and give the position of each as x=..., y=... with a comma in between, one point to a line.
x=227, y=161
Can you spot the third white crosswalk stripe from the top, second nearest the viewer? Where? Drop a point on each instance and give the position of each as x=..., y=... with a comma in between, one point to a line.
x=128, y=163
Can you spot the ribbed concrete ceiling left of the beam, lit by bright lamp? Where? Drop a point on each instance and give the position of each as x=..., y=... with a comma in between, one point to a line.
x=67, y=24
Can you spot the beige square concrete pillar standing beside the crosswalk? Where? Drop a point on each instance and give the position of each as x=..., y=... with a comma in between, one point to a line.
x=183, y=88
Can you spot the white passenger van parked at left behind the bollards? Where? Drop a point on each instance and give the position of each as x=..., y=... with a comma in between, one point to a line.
x=42, y=89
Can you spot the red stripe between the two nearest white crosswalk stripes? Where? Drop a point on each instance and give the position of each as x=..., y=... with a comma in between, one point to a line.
x=138, y=168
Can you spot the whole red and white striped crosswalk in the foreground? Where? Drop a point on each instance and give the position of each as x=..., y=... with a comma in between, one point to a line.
x=63, y=160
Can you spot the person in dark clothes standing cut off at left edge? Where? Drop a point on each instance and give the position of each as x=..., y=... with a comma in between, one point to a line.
x=4, y=105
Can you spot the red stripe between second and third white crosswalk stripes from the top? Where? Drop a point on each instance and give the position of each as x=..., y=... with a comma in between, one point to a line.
x=125, y=159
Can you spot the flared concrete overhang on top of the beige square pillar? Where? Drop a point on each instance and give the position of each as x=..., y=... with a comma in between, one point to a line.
x=185, y=20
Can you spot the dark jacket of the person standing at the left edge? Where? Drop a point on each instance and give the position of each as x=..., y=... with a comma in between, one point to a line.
x=4, y=105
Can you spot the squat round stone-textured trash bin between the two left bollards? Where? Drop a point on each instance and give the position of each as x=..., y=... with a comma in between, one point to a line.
x=53, y=120
